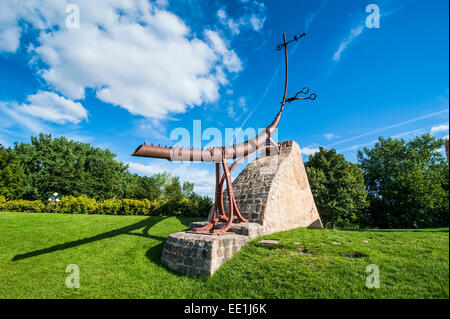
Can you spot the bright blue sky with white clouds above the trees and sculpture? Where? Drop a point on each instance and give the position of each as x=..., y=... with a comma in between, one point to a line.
x=136, y=71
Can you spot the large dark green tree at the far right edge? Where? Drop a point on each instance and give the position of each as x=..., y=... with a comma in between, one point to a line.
x=407, y=182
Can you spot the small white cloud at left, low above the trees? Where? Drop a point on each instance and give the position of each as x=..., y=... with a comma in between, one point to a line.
x=53, y=108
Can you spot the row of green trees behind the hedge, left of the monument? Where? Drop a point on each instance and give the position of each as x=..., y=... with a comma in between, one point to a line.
x=35, y=170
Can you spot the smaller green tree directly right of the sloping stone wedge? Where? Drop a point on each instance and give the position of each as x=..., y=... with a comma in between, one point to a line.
x=338, y=188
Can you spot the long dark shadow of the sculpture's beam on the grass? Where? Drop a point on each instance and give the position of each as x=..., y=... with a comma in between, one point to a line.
x=146, y=223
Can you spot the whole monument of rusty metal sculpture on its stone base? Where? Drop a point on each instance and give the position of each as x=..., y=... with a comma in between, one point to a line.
x=271, y=194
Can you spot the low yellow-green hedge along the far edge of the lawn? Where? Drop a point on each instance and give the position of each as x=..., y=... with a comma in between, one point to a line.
x=196, y=207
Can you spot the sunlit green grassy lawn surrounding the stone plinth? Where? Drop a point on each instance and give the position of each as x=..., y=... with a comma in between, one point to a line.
x=119, y=257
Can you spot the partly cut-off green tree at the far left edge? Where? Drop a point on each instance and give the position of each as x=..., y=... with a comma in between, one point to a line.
x=11, y=174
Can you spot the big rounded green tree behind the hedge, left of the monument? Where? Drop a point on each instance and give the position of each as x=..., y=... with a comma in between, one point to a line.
x=68, y=167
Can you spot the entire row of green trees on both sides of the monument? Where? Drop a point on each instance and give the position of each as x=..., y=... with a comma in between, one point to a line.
x=394, y=184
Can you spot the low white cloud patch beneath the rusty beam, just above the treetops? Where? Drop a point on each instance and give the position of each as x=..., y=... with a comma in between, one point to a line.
x=203, y=179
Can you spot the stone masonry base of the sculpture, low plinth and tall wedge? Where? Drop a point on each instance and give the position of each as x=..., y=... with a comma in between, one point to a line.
x=272, y=192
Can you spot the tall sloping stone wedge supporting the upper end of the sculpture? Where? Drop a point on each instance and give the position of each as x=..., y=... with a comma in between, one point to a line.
x=274, y=191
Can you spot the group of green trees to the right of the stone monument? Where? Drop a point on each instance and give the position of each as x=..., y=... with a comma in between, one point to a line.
x=395, y=184
